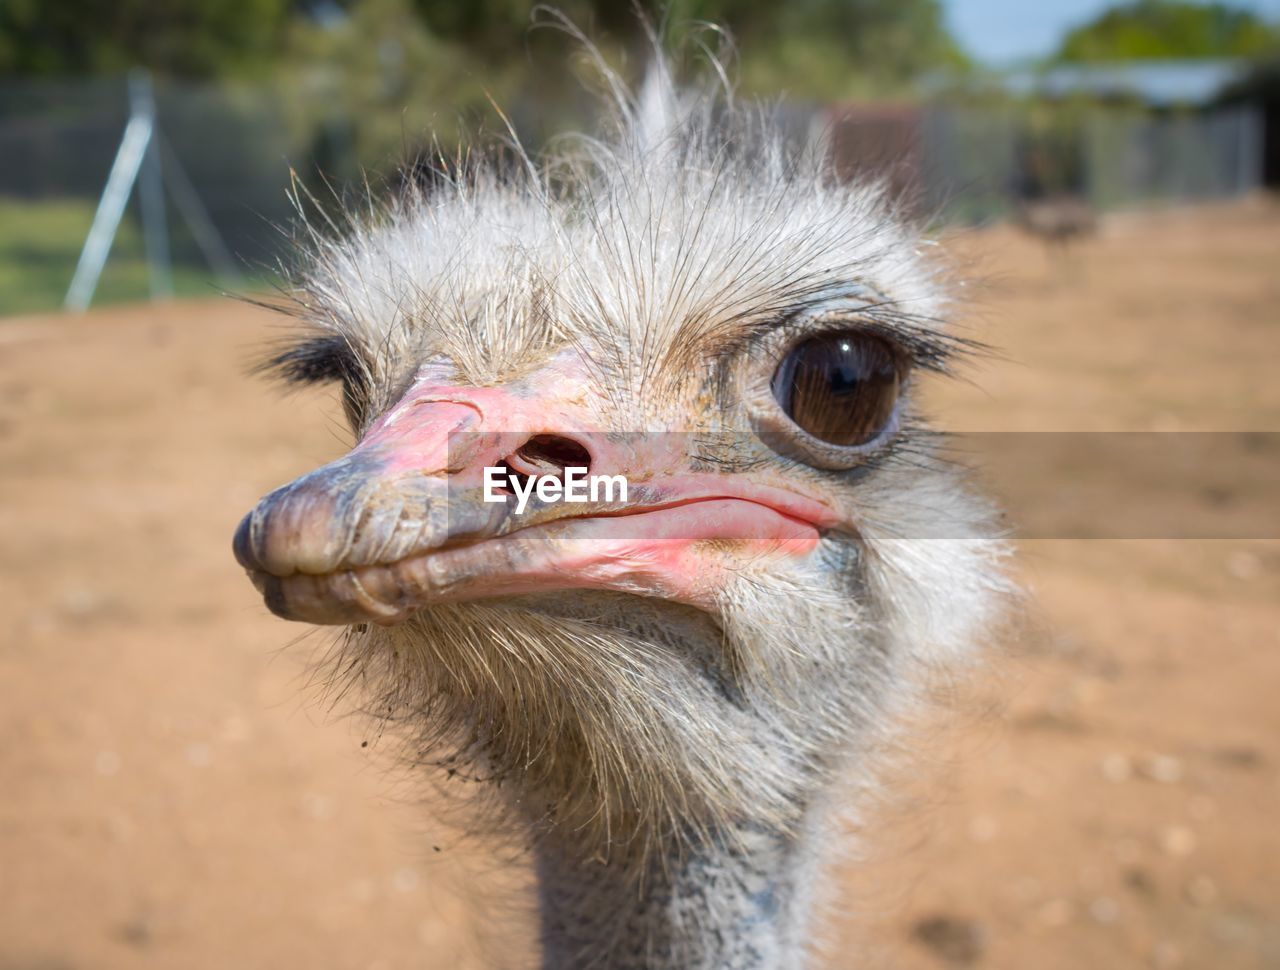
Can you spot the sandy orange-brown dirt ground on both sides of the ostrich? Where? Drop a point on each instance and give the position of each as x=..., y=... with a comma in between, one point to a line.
x=175, y=795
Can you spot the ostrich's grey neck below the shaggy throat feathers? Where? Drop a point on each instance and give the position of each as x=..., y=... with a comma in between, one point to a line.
x=738, y=903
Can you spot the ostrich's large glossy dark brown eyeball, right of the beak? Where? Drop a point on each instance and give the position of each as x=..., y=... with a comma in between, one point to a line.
x=840, y=388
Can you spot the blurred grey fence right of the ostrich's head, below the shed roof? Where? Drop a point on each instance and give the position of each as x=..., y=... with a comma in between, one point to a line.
x=975, y=164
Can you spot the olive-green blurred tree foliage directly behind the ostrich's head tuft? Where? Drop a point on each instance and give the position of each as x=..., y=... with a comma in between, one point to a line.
x=387, y=71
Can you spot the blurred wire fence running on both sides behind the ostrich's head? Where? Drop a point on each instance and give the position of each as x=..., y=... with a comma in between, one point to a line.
x=230, y=150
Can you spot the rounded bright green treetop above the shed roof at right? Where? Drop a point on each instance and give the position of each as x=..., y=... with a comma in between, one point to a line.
x=1171, y=29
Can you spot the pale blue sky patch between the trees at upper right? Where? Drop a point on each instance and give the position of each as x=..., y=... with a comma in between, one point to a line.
x=999, y=31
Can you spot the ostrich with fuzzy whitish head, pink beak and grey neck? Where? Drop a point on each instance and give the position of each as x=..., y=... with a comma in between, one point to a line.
x=669, y=696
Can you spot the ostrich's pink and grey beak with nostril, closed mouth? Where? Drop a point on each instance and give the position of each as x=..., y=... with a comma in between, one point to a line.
x=399, y=524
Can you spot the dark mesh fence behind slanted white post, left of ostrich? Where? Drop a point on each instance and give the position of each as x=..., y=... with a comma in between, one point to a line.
x=223, y=149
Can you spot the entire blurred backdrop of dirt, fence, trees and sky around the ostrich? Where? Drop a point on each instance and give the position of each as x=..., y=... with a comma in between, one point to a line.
x=177, y=793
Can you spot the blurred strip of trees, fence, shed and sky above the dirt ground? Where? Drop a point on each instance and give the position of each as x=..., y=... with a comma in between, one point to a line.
x=975, y=107
